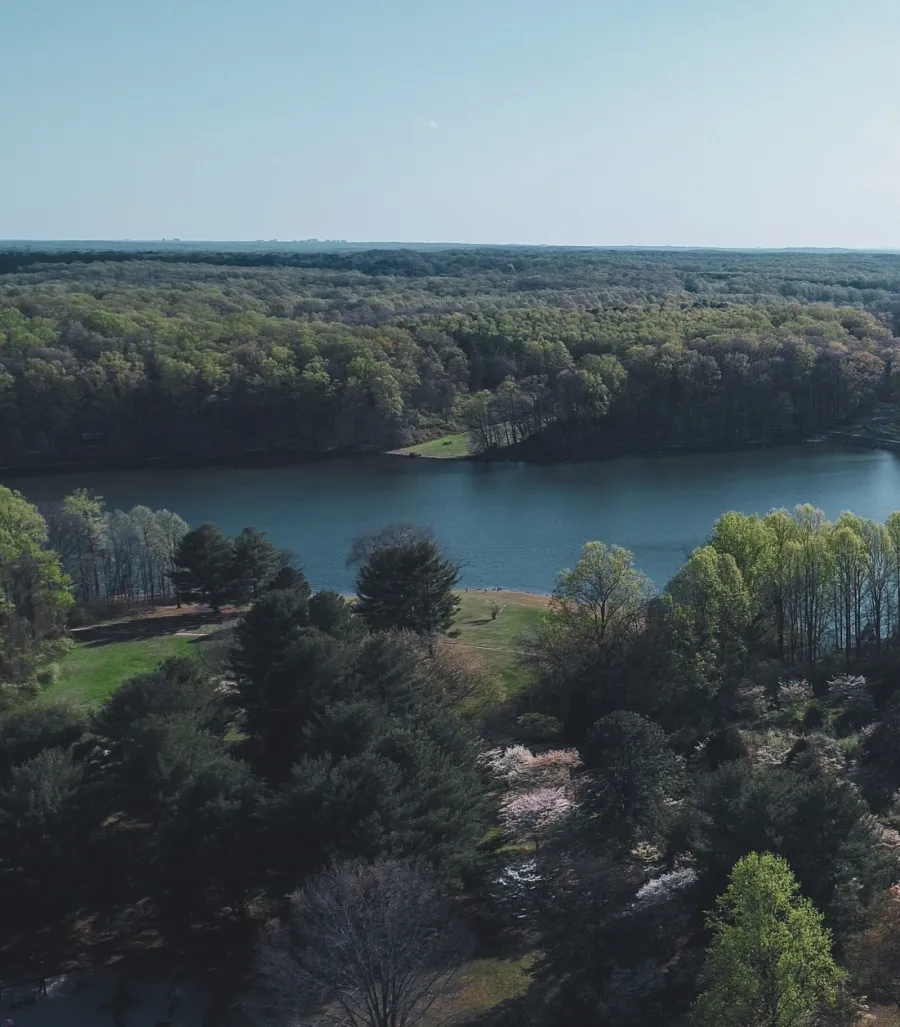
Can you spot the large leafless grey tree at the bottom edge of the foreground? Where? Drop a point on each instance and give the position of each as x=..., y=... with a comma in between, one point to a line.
x=367, y=945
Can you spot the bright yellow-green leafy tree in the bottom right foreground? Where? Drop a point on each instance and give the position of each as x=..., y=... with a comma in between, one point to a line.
x=770, y=963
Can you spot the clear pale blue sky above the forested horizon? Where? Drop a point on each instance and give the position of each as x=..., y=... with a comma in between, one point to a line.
x=695, y=123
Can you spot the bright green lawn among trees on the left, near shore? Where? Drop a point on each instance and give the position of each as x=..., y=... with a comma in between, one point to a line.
x=90, y=673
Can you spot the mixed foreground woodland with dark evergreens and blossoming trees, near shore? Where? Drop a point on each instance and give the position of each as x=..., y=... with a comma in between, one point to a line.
x=687, y=814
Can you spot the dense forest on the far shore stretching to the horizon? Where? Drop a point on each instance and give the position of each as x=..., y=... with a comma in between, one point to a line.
x=133, y=356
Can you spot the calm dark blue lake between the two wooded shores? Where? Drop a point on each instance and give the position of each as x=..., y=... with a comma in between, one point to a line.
x=513, y=525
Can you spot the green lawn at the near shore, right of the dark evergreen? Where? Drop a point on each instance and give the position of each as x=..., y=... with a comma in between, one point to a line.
x=496, y=642
